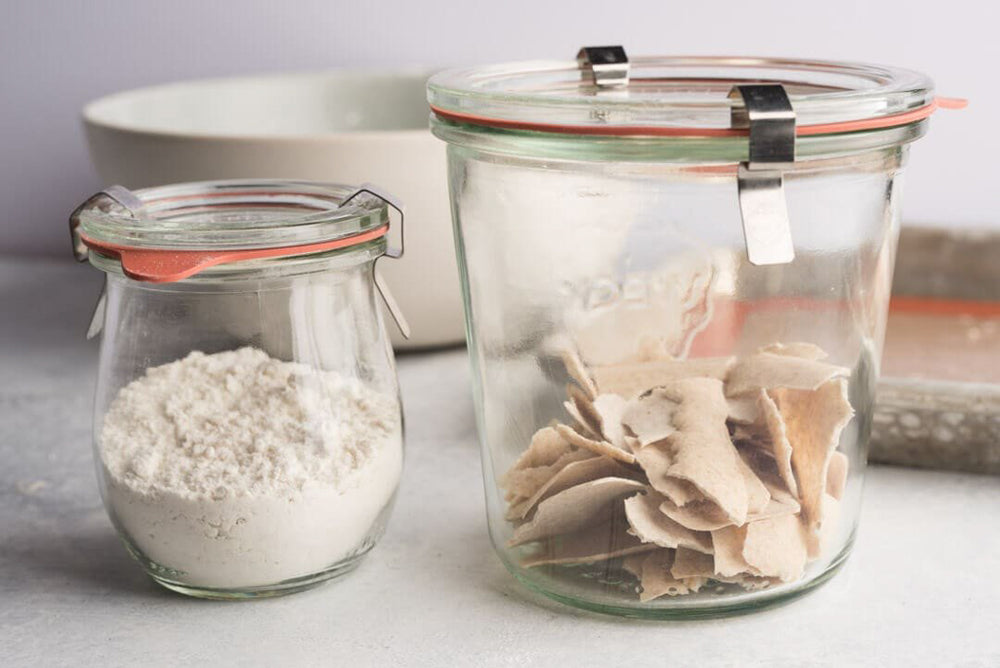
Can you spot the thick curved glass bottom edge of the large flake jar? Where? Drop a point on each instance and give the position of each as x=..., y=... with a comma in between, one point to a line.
x=675, y=609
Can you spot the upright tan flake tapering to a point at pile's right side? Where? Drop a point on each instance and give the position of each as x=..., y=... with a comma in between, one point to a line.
x=813, y=421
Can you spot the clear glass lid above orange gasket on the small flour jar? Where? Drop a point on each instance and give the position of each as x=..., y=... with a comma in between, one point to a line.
x=237, y=214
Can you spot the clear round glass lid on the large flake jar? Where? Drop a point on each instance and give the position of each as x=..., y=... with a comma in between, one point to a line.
x=678, y=96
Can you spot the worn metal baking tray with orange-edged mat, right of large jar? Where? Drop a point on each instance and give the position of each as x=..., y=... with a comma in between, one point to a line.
x=938, y=401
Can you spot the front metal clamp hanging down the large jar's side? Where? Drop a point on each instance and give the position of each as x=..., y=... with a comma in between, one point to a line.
x=767, y=112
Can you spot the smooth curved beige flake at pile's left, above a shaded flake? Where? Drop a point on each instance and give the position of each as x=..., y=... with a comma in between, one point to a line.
x=574, y=509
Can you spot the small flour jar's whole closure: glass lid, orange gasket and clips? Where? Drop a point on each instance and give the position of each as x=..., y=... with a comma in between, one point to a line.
x=170, y=233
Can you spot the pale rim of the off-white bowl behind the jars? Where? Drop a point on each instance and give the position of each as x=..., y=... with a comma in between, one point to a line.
x=93, y=113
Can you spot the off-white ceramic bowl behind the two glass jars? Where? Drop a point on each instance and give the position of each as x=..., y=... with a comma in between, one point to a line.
x=338, y=126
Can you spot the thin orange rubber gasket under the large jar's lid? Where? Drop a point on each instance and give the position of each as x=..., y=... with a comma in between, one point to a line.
x=894, y=120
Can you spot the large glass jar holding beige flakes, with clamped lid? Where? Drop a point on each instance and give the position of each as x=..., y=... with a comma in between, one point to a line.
x=674, y=407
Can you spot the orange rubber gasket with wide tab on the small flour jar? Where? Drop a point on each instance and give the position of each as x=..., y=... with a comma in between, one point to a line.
x=161, y=265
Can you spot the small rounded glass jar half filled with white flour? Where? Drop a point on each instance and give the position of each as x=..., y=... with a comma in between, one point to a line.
x=248, y=431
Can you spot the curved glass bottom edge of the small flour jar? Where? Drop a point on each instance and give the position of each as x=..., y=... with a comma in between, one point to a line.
x=166, y=577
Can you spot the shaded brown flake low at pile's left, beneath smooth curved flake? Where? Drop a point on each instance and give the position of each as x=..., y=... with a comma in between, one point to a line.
x=589, y=545
